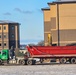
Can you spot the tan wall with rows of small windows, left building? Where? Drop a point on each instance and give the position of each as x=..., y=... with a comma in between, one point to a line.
x=4, y=36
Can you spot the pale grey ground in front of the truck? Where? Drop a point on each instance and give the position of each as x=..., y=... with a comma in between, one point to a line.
x=45, y=69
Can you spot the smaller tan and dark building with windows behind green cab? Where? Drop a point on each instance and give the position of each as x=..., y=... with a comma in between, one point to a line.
x=9, y=35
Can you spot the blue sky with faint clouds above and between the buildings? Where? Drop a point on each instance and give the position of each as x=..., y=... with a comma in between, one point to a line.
x=28, y=13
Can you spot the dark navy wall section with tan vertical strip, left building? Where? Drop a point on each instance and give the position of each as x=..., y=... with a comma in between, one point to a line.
x=14, y=35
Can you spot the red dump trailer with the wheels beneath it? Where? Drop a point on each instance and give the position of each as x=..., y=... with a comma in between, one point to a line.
x=63, y=54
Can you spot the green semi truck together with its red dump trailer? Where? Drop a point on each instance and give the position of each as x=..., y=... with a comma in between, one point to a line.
x=63, y=54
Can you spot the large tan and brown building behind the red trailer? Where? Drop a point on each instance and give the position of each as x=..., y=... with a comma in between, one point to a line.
x=60, y=22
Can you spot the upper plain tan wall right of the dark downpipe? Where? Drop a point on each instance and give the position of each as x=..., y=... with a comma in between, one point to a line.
x=67, y=16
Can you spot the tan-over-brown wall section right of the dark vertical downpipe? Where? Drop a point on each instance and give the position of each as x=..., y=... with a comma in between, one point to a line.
x=67, y=23
